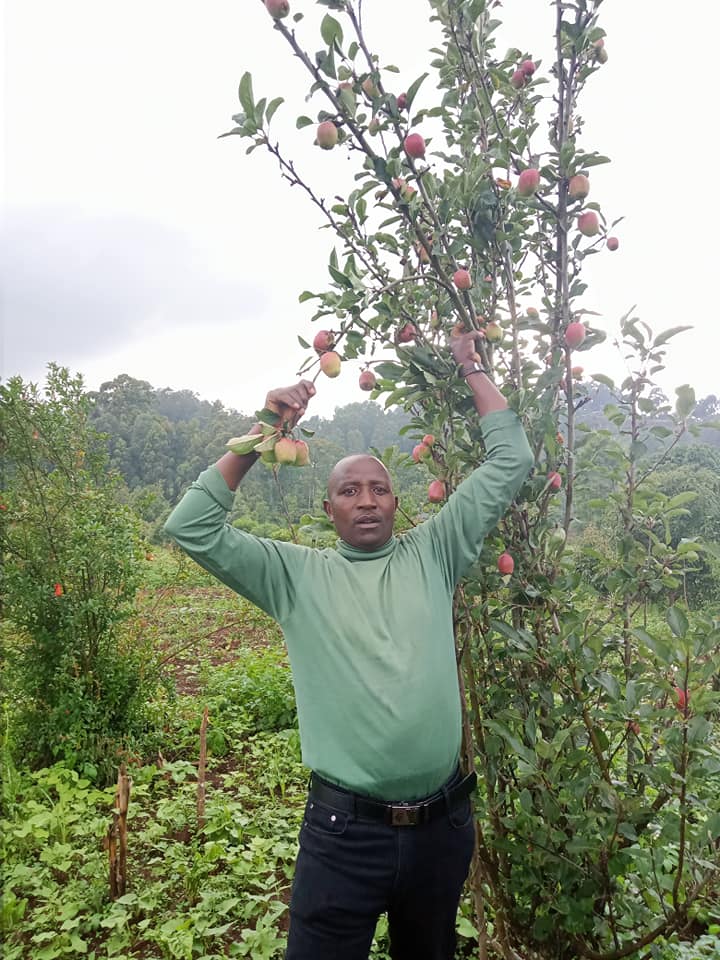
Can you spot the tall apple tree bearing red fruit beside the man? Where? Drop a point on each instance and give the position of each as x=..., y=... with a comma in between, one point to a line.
x=589, y=712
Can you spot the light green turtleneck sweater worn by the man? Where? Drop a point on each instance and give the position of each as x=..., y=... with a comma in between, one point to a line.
x=369, y=634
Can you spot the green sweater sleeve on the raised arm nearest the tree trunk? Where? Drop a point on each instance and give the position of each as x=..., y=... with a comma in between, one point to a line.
x=458, y=530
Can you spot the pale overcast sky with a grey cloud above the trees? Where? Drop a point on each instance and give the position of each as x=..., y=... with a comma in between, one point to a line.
x=137, y=242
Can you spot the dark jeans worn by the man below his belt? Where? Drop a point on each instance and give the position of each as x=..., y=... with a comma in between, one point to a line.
x=349, y=871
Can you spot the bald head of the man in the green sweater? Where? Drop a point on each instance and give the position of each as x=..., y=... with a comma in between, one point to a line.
x=361, y=502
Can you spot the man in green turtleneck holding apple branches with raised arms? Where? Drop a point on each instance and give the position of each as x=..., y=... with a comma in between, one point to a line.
x=388, y=824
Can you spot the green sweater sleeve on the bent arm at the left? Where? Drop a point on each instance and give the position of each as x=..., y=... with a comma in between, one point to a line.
x=264, y=571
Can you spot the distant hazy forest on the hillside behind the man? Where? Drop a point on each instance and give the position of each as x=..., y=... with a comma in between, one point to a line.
x=161, y=439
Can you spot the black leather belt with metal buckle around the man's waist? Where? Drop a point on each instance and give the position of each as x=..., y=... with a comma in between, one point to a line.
x=395, y=814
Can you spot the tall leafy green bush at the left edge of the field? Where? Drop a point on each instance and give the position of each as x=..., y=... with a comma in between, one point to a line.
x=71, y=559
